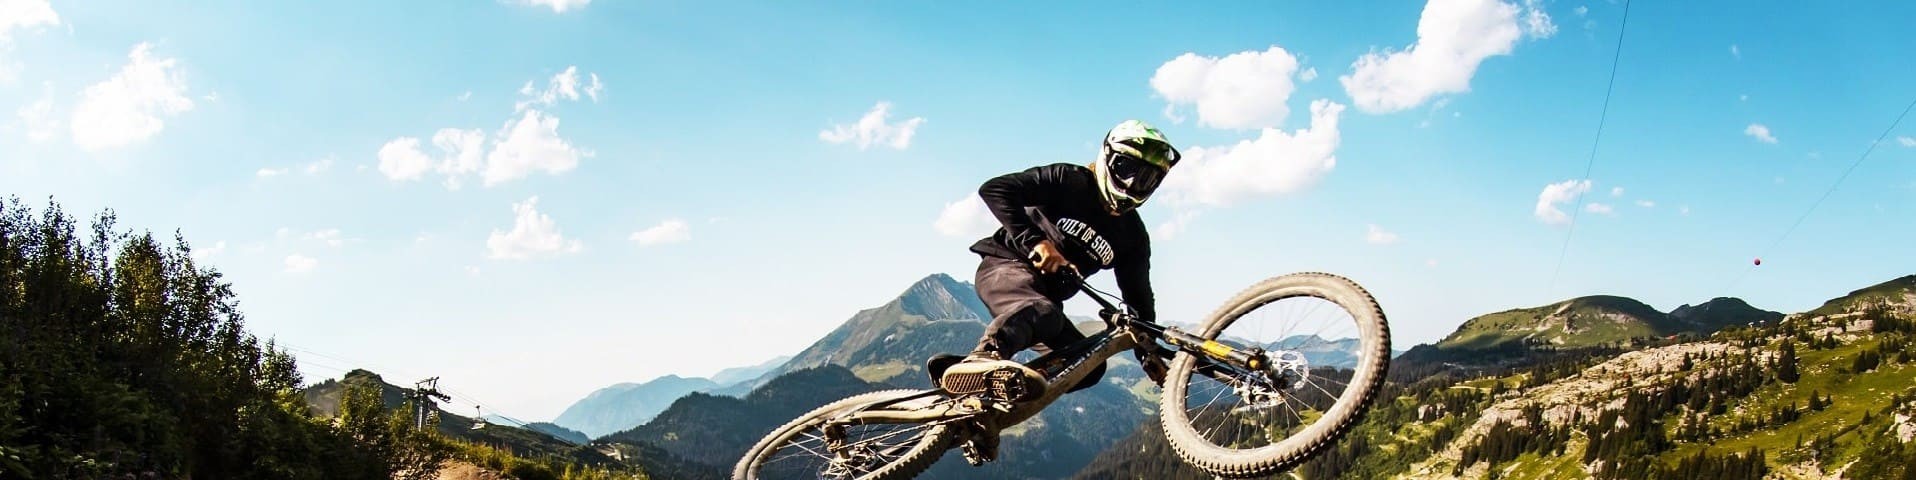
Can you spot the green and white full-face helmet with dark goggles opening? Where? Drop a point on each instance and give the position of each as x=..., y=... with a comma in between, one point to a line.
x=1133, y=162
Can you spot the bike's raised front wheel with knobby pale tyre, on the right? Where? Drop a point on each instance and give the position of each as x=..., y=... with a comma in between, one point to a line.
x=1329, y=347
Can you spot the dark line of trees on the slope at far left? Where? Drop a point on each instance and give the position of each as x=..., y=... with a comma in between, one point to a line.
x=125, y=359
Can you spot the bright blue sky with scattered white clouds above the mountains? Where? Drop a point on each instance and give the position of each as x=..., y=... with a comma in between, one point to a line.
x=539, y=200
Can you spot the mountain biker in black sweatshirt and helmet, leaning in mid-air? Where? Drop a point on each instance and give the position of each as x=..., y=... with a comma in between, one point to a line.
x=1062, y=217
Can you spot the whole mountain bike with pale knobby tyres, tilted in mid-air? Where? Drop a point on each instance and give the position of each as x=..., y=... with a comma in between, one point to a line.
x=1241, y=399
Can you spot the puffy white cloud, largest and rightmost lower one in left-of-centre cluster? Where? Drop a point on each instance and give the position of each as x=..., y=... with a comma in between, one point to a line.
x=530, y=144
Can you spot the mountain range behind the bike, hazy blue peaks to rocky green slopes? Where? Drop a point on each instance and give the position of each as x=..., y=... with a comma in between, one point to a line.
x=1457, y=399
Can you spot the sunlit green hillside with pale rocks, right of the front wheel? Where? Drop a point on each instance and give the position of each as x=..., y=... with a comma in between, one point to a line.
x=1812, y=397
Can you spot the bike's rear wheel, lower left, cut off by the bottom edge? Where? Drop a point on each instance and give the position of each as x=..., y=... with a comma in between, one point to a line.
x=869, y=452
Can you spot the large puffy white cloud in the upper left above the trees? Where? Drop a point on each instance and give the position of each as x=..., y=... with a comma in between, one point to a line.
x=131, y=106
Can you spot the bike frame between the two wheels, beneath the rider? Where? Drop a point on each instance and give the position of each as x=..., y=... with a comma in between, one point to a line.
x=1066, y=368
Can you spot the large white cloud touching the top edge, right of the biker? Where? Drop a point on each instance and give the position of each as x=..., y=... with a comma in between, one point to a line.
x=1453, y=39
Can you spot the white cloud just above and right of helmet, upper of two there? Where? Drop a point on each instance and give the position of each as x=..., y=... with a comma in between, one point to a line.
x=1241, y=91
